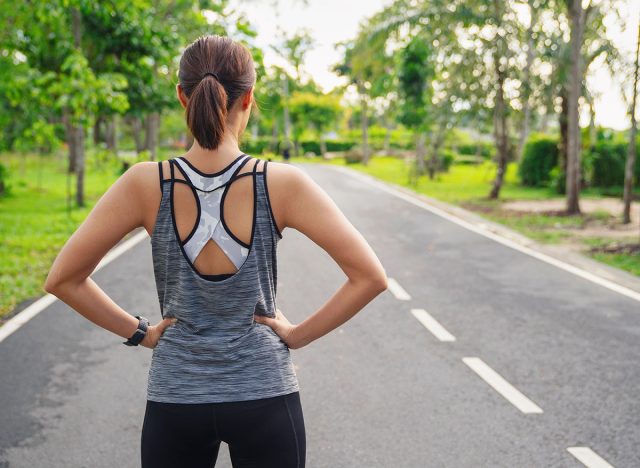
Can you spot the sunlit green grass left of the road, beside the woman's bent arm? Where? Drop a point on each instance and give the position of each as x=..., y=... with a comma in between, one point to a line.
x=36, y=221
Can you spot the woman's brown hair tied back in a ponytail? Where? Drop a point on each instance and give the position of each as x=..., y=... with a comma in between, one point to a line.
x=211, y=97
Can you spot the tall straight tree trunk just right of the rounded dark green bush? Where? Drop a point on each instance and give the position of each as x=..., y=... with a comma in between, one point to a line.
x=576, y=14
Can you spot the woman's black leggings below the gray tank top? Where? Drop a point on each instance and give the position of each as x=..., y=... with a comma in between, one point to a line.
x=263, y=433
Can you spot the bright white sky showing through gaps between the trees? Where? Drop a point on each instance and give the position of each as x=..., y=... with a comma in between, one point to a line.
x=331, y=21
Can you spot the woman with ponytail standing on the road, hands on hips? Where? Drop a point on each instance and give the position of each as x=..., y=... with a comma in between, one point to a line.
x=221, y=368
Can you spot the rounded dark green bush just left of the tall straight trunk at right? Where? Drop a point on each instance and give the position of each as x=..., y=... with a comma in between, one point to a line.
x=539, y=158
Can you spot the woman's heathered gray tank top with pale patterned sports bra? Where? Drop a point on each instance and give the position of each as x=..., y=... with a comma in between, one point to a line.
x=217, y=352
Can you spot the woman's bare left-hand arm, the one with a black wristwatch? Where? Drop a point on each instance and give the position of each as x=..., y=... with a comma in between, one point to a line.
x=118, y=212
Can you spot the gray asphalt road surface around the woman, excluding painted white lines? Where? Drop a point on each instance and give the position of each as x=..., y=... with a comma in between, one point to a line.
x=382, y=390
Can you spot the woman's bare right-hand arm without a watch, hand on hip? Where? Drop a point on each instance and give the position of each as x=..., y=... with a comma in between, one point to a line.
x=312, y=212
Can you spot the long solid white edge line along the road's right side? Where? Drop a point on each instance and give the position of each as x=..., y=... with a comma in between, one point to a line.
x=496, y=237
